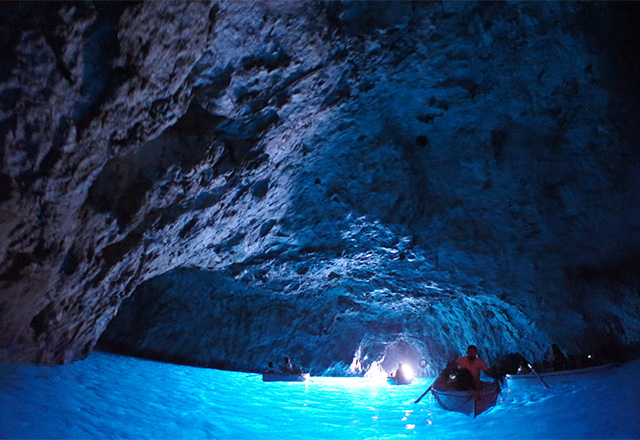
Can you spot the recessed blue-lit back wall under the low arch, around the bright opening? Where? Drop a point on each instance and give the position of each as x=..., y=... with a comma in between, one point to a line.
x=195, y=317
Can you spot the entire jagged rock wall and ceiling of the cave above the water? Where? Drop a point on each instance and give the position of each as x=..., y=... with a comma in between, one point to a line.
x=331, y=180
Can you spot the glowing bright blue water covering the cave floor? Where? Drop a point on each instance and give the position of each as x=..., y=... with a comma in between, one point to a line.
x=108, y=396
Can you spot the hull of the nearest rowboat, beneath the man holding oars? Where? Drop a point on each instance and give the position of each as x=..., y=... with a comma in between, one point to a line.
x=470, y=402
